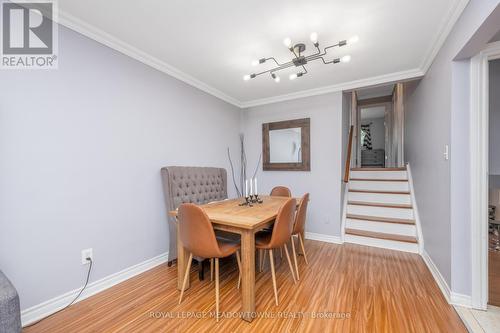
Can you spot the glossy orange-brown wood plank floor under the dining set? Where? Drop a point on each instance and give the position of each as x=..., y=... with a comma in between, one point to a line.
x=345, y=288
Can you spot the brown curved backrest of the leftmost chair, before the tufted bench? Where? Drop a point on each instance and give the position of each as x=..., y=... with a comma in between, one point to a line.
x=196, y=231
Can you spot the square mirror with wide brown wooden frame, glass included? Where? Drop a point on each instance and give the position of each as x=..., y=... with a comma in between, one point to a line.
x=286, y=145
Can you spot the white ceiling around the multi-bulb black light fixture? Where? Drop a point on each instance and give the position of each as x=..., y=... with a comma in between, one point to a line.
x=210, y=44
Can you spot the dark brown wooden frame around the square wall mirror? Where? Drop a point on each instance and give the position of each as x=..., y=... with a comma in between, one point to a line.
x=305, y=126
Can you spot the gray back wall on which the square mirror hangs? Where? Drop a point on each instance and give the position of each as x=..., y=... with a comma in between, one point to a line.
x=324, y=180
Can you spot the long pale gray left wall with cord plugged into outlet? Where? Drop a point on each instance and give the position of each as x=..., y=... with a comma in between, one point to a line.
x=81, y=150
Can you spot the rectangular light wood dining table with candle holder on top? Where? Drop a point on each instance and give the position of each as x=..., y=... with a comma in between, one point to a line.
x=228, y=215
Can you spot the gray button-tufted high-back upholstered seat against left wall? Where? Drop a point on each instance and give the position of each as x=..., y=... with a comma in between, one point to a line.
x=198, y=185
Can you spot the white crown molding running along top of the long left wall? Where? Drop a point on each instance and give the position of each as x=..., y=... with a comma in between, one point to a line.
x=102, y=37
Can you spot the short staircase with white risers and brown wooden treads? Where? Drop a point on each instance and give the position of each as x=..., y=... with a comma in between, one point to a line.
x=379, y=210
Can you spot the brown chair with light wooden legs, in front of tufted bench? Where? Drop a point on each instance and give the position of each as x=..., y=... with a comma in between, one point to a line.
x=198, y=237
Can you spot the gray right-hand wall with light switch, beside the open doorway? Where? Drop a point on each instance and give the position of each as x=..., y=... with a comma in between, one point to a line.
x=436, y=114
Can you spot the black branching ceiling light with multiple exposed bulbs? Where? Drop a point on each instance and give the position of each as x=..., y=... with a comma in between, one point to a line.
x=299, y=59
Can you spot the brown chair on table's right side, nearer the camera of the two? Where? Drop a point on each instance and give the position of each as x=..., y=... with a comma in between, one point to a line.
x=282, y=231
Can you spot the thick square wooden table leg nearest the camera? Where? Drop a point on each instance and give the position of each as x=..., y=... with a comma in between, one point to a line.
x=248, y=274
